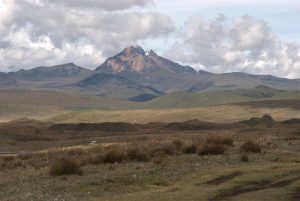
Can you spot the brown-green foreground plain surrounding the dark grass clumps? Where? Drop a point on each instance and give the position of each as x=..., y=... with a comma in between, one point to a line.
x=272, y=175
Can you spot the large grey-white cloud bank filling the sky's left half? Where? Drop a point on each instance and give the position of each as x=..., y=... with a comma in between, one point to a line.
x=44, y=32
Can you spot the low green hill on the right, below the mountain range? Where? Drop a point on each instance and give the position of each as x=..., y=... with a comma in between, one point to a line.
x=189, y=100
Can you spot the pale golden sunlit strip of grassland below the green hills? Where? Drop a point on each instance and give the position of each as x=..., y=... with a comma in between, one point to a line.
x=220, y=113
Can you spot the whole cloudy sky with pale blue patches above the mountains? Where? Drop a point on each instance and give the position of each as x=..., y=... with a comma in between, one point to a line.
x=257, y=37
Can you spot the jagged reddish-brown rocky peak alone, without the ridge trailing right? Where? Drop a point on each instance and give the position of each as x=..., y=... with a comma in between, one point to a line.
x=149, y=69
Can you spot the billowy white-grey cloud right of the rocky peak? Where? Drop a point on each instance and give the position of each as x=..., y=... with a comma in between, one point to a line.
x=244, y=44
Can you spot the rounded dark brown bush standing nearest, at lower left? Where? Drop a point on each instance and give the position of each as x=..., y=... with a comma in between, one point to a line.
x=65, y=166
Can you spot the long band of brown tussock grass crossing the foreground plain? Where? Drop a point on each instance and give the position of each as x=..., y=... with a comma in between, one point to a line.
x=69, y=161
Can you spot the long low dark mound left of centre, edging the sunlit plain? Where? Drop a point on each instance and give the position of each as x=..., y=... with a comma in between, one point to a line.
x=105, y=127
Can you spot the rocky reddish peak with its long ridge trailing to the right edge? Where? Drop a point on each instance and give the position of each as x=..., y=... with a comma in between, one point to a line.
x=150, y=69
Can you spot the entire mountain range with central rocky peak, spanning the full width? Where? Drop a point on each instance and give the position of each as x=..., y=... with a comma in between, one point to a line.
x=138, y=75
